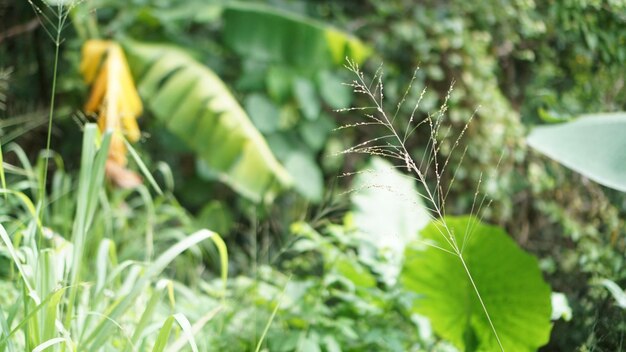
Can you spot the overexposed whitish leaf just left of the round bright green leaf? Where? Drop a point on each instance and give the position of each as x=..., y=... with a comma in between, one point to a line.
x=388, y=210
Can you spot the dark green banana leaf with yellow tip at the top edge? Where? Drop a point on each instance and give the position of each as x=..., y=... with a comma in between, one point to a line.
x=273, y=35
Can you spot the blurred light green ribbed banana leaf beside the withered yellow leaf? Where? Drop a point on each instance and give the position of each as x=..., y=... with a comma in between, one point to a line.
x=196, y=106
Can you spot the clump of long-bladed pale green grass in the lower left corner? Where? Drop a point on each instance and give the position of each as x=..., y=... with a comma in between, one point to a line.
x=52, y=271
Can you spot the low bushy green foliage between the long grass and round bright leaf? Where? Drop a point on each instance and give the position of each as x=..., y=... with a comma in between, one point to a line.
x=331, y=301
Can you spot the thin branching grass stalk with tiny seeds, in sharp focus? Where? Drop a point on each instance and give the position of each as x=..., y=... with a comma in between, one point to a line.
x=429, y=171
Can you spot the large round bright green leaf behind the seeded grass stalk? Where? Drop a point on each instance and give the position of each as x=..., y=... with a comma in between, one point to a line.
x=508, y=279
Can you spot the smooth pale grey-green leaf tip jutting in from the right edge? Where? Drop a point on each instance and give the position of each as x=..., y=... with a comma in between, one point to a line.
x=593, y=145
